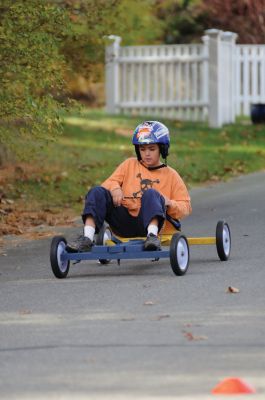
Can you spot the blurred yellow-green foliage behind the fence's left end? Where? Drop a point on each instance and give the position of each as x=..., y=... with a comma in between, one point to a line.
x=94, y=20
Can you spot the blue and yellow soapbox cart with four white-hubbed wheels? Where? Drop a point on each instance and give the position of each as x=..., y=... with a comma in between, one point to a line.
x=109, y=247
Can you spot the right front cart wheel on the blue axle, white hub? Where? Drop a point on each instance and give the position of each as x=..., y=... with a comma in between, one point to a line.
x=179, y=254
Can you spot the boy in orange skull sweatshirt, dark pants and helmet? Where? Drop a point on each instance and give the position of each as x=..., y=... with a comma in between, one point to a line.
x=134, y=200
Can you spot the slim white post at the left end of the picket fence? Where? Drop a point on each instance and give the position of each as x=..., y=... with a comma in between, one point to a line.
x=112, y=74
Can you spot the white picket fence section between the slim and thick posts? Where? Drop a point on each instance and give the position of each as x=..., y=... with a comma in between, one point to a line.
x=164, y=80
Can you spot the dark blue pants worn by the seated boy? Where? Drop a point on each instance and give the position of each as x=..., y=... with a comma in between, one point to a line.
x=99, y=205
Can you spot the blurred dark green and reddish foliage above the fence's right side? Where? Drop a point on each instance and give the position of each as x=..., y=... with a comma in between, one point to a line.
x=186, y=20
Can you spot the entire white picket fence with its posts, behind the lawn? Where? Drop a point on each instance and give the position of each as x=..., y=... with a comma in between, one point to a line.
x=216, y=79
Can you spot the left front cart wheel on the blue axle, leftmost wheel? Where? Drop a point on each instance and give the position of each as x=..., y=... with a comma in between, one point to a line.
x=60, y=268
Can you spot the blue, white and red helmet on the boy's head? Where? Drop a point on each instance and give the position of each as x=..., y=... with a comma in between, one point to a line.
x=150, y=132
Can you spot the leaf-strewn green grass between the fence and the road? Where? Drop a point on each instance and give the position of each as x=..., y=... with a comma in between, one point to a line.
x=94, y=143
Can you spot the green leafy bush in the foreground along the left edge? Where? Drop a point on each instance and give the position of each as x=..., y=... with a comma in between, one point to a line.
x=31, y=72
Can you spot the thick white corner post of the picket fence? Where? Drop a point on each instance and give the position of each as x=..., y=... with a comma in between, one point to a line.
x=221, y=77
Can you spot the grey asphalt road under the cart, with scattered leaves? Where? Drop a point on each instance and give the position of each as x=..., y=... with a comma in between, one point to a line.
x=136, y=330
